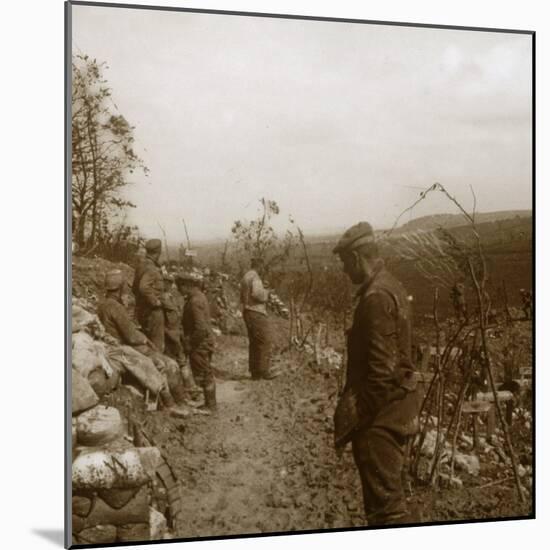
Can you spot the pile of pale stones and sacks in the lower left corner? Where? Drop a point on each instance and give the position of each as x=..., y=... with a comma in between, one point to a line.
x=112, y=480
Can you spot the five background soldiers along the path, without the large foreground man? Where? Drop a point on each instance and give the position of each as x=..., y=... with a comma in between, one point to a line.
x=180, y=340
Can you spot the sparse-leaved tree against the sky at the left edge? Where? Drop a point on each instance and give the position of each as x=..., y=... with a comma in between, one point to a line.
x=103, y=154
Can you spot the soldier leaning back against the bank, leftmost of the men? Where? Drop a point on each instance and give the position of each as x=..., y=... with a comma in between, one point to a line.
x=117, y=323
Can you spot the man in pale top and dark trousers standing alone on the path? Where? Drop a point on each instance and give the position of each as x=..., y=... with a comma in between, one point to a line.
x=253, y=299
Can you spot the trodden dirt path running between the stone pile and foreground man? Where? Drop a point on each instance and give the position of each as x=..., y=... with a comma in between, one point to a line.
x=259, y=465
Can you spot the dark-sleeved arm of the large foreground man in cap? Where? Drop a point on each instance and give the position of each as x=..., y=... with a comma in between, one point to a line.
x=377, y=324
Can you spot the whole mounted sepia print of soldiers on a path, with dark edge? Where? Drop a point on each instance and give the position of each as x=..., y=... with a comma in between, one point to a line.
x=301, y=274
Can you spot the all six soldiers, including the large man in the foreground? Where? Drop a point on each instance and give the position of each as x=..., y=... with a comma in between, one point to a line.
x=377, y=411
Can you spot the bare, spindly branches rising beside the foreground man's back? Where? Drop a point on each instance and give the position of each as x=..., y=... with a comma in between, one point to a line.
x=445, y=254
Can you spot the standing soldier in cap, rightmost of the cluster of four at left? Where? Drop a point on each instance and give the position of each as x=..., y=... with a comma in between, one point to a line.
x=198, y=338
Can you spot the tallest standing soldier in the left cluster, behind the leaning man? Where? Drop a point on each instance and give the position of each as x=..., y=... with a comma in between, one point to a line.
x=148, y=287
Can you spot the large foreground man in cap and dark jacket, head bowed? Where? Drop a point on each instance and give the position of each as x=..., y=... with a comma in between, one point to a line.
x=378, y=409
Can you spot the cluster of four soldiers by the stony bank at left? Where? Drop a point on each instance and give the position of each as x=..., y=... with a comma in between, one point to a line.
x=180, y=343
